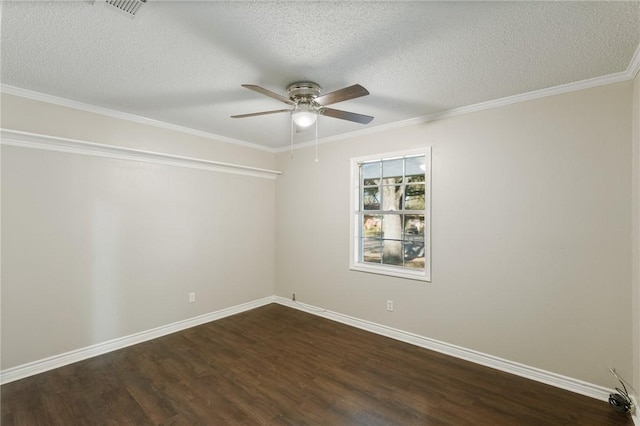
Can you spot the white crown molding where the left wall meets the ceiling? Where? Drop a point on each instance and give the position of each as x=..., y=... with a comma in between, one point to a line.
x=30, y=94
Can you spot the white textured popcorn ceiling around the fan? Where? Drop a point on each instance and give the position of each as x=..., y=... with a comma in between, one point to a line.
x=183, y=62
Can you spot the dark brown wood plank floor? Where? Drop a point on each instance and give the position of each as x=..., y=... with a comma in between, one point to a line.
x=276, y=365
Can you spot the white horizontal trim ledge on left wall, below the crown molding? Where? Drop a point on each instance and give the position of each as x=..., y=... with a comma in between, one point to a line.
x=50, y=143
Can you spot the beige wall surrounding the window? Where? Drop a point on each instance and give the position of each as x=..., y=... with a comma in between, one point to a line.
x=530, y=235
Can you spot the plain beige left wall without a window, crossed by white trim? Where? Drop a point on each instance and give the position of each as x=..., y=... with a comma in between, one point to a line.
x=95, y=248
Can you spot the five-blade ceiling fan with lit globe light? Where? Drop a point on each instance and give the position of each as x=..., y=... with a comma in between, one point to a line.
x=307, y=103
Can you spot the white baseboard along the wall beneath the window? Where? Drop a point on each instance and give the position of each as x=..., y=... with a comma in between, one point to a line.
x=549, y=378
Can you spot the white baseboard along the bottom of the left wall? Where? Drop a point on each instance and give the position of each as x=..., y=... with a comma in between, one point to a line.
x=56, y=361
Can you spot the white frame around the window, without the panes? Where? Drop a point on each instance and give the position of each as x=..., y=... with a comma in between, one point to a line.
x=354, y=247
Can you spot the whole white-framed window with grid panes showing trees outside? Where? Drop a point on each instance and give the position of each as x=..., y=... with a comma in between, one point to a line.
x=390, y=220
